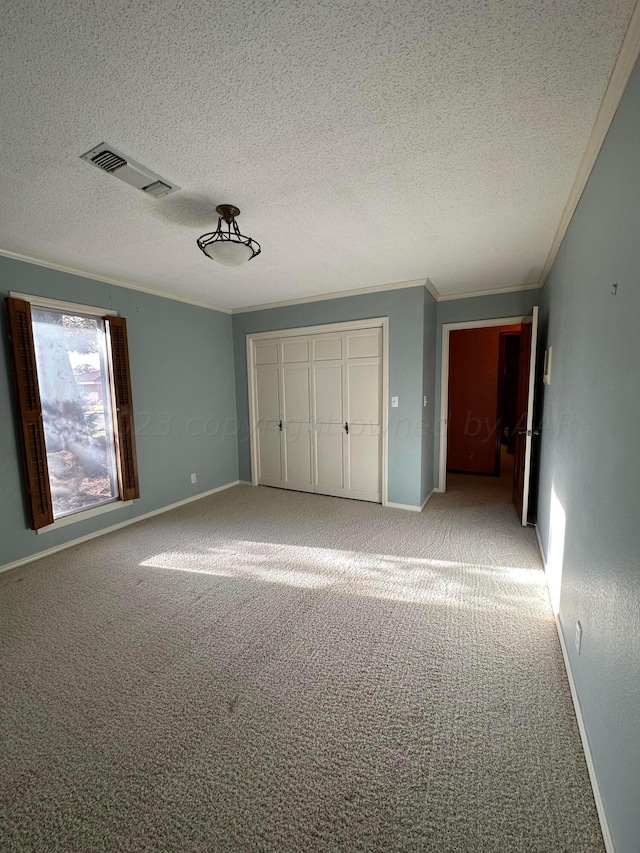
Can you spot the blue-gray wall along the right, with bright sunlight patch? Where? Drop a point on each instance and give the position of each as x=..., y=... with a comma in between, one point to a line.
x=590, y=461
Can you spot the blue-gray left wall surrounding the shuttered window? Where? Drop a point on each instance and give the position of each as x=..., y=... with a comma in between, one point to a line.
x=183, y=391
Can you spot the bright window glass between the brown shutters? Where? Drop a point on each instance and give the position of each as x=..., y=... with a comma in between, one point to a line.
x=75, y=392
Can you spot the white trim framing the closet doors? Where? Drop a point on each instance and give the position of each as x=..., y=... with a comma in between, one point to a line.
x=353, y=325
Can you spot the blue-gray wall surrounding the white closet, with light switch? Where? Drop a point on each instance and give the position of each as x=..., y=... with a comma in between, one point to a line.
x=405, y=309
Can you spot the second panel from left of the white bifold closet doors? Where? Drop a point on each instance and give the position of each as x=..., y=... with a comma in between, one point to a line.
x=295, y=357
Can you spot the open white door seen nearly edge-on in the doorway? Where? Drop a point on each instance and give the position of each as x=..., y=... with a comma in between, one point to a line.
x=524, y=435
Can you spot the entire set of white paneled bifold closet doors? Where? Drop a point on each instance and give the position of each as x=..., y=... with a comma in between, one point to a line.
x=319, y=413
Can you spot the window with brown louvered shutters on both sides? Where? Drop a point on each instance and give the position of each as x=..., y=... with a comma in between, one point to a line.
x=76, y=415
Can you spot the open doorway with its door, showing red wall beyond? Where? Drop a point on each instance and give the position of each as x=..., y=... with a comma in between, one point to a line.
x=488, y=378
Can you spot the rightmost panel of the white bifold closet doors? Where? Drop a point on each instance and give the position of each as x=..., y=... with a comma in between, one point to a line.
x=363, y=397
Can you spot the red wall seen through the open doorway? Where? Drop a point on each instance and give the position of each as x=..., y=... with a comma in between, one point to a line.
x=473, y=398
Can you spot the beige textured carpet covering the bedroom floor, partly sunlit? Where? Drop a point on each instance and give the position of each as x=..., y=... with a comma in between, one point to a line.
x=271, y=671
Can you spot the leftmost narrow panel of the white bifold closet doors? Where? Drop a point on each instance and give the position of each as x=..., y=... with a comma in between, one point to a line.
x=267, y=385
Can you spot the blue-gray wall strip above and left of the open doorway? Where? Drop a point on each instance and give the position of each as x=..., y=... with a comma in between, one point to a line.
x=474, y=308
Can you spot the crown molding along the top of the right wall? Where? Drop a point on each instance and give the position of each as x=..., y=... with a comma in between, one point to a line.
x=625, y=63
